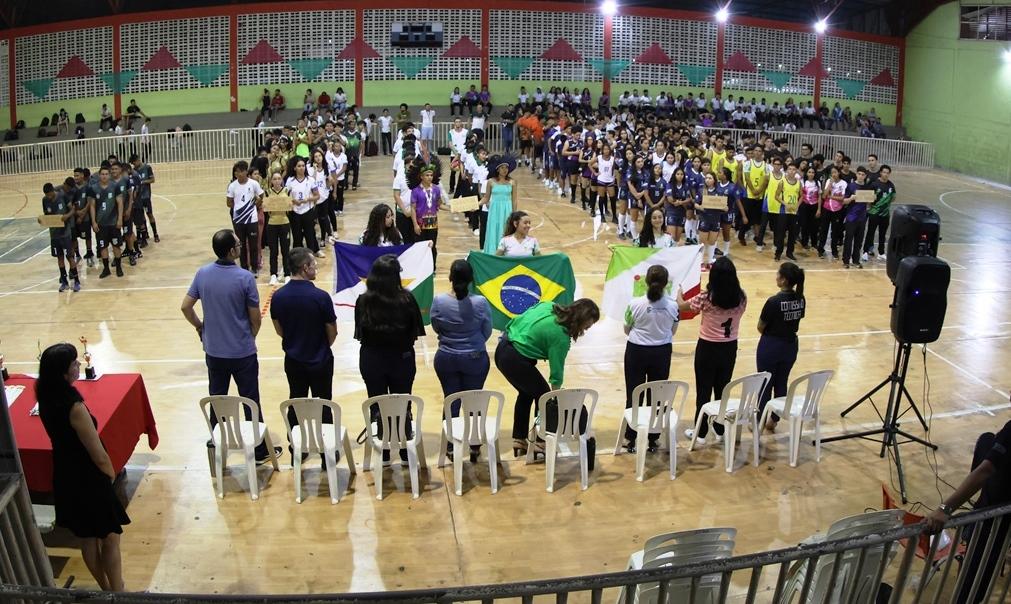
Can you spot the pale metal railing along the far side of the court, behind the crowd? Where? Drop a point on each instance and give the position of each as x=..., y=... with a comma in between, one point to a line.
x=236, y=144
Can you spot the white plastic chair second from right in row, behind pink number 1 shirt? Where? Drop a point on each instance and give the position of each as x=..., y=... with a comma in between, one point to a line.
x=734, y=413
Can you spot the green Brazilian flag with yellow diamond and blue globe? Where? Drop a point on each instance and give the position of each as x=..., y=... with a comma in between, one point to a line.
x=514, y=285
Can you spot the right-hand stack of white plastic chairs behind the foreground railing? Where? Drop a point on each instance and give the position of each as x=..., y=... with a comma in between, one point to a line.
x=850, y=586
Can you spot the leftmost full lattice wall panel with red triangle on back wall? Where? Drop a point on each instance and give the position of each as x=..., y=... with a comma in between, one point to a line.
x=42, y=58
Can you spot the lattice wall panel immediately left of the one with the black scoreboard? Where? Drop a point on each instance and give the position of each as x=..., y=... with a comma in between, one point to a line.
x=303, y=41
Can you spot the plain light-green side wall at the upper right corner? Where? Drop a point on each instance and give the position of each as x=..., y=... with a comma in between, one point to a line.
x=957, y=98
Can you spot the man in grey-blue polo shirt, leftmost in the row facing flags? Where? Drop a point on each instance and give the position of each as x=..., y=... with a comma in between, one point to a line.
x=231, y=322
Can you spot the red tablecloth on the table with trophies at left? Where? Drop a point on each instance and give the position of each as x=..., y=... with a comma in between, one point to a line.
x=120, y=404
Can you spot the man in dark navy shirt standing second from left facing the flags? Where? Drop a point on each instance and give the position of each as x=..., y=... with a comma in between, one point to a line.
x=305, y=319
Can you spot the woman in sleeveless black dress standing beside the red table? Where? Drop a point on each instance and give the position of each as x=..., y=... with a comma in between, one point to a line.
x=82, y=472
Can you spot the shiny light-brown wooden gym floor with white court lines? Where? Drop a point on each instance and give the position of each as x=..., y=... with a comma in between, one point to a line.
x=185, y=540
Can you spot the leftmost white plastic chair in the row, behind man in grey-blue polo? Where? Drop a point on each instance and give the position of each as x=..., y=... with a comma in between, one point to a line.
x=236, y=434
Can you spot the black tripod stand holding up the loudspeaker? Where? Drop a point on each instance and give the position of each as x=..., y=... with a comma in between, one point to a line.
x=890, y=433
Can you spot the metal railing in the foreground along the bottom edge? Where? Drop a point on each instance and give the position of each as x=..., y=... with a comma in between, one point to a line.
x=743, y=578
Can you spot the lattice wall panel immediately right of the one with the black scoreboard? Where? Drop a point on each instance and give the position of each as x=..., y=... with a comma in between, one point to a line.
x=527, y=35
